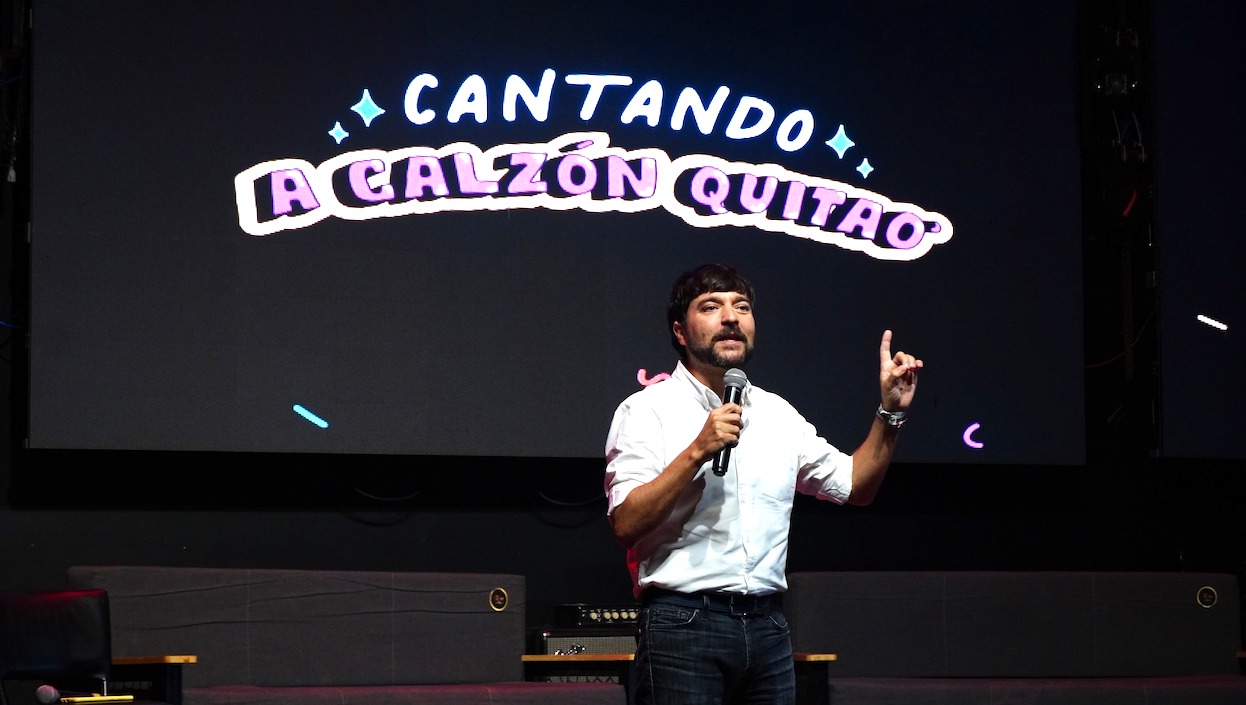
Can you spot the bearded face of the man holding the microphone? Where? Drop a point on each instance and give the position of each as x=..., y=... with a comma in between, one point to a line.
x=720, y=331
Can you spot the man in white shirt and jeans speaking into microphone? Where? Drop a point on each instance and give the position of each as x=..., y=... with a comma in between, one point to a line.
x=708, y=554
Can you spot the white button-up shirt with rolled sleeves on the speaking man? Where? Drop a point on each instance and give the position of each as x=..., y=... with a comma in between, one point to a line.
x=726, y=534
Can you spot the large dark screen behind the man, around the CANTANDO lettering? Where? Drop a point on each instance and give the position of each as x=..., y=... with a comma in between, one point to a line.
x=159, y=324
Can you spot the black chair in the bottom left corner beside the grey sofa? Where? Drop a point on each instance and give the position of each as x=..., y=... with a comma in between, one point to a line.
x=53, y=646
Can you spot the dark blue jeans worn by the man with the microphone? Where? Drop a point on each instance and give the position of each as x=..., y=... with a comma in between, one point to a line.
x=697, y=651
